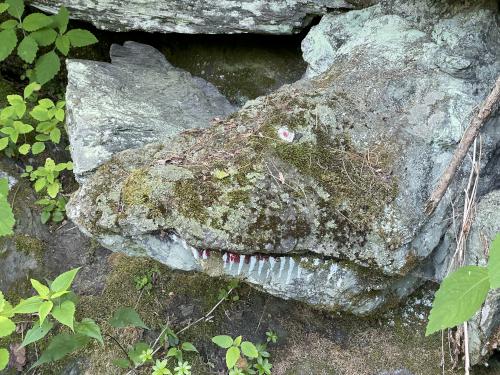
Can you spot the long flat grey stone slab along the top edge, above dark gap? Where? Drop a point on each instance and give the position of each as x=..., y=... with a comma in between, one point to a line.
x=198, y=17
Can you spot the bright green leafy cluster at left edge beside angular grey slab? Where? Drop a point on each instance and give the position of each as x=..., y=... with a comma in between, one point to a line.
x=26, y=126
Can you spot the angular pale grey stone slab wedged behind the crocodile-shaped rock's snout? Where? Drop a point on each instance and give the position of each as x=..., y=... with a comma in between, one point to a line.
x=137, y=99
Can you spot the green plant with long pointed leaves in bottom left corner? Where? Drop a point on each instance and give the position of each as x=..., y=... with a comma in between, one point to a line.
x=55, y=306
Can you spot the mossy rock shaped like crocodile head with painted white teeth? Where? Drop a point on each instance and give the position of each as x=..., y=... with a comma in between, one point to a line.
x=317, y=191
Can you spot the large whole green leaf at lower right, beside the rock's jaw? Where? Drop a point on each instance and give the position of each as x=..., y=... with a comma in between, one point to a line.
x=459, y=297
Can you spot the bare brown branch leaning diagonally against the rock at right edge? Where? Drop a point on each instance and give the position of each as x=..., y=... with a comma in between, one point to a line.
x=470, y=134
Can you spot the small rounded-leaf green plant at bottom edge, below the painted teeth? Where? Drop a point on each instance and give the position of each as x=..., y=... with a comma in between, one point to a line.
x=243, y=357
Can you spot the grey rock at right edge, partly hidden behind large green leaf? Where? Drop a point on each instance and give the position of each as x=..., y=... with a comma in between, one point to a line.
x=484, y=328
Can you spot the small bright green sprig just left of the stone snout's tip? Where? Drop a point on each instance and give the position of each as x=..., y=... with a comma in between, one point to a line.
x=46, y=178
